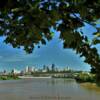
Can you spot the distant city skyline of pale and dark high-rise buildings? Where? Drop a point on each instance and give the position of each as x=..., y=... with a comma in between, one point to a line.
x=45, y=68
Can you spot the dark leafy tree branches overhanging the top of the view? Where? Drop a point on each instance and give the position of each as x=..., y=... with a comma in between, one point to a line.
x=26, y=23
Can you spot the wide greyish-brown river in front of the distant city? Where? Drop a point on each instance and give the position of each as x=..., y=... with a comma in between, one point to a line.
x=45, y=89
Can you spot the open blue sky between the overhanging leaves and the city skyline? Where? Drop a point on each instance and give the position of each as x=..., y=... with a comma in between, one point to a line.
x=51, y=53
